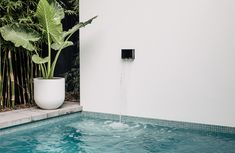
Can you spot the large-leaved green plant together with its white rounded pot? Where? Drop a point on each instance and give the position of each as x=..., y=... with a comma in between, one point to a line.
x=49, y=91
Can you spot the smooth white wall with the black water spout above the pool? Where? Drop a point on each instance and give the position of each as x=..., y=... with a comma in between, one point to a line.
x=185, y=59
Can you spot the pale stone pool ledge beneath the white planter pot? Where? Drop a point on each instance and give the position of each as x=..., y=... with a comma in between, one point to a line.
x=22, y=116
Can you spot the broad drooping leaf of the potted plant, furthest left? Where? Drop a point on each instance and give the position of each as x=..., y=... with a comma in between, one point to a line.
x=20, y=36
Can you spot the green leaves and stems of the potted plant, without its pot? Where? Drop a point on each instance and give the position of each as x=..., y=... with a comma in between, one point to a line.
x=49, y=16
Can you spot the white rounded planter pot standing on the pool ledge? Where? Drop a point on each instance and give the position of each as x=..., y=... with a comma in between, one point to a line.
x=49, y=93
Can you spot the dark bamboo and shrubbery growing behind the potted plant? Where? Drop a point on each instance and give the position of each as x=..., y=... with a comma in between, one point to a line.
x=16, y=68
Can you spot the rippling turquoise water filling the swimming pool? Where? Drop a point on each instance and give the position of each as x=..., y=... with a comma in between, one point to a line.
x=82, y=134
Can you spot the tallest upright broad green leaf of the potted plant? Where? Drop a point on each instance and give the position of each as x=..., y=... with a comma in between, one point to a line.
x=50, y=16
